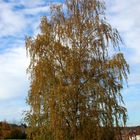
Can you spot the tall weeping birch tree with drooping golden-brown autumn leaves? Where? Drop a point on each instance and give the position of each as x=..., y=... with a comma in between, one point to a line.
x=76, y=75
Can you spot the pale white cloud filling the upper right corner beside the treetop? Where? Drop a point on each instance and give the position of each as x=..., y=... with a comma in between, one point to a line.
x=124, y=15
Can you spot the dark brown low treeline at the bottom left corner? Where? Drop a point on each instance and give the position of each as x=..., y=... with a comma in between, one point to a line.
x=12, y=131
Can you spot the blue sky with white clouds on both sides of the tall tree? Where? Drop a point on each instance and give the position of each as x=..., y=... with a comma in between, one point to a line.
x=20, y=18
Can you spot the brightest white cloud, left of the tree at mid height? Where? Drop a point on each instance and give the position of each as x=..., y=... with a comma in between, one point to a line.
x=13, y=79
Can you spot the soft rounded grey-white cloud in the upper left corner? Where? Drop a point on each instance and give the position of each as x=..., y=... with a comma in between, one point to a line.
x=10, y=21
